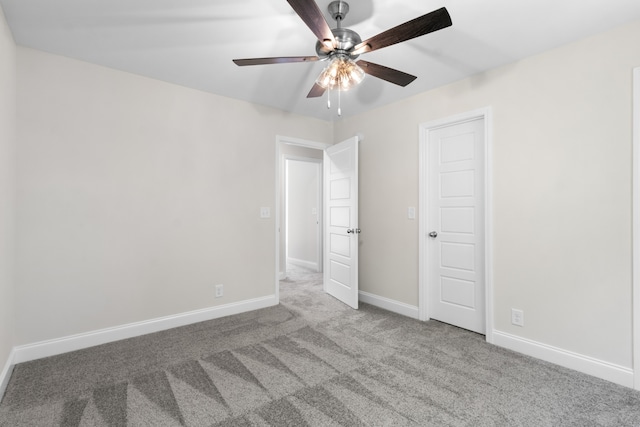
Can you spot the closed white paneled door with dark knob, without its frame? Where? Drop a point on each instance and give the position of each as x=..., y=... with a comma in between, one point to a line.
x=455, y=230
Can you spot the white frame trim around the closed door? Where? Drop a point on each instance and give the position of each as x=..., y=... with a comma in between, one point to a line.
x=423, y=186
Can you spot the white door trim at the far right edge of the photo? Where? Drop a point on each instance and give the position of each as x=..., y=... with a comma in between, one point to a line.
x=635, y=267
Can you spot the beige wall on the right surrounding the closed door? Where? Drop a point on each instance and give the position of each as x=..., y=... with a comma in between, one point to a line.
x=561, y=191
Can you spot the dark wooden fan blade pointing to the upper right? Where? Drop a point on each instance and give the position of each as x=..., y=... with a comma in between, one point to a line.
x=425, y=24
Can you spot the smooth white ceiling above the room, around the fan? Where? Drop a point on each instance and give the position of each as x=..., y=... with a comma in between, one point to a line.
x=192, y=42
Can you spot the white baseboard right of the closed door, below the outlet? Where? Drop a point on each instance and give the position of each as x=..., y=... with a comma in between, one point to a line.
x=568, y=359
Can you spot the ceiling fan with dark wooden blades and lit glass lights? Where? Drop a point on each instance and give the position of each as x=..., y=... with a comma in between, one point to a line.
x=341, y=46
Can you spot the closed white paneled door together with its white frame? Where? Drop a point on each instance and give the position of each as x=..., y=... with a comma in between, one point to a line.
x=455, y=217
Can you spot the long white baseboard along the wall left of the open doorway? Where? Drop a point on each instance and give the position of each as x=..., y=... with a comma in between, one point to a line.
x=25, y=353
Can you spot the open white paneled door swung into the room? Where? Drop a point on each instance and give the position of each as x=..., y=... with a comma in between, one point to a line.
x=341, y=221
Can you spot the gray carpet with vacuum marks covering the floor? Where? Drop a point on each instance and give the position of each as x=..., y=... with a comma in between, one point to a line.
x=309, y=361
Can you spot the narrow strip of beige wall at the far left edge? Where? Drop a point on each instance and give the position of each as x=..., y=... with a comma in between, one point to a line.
x=7, y=160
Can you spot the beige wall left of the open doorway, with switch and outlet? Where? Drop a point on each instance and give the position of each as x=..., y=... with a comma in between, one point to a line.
x=136, y=197
